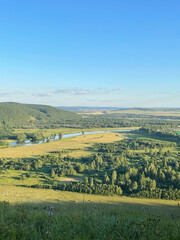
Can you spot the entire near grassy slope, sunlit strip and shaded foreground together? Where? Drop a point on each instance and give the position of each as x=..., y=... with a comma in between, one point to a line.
x=47, y=214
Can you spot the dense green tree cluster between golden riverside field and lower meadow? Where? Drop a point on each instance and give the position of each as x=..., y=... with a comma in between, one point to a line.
x=139, y=167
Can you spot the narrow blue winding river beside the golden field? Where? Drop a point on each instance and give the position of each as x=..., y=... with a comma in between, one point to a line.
x=29, y=142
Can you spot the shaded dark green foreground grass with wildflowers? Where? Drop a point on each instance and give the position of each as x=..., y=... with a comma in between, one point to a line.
x=83, y=222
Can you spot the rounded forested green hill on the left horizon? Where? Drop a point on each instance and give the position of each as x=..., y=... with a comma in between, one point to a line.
x=21, y=115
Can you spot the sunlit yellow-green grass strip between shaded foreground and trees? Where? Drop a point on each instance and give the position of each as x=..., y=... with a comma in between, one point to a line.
x=15, y=194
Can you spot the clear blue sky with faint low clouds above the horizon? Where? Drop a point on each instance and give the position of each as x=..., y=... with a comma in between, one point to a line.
x=90, y=52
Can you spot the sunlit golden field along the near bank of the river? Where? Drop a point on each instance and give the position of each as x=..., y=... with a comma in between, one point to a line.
x=77, y=146
